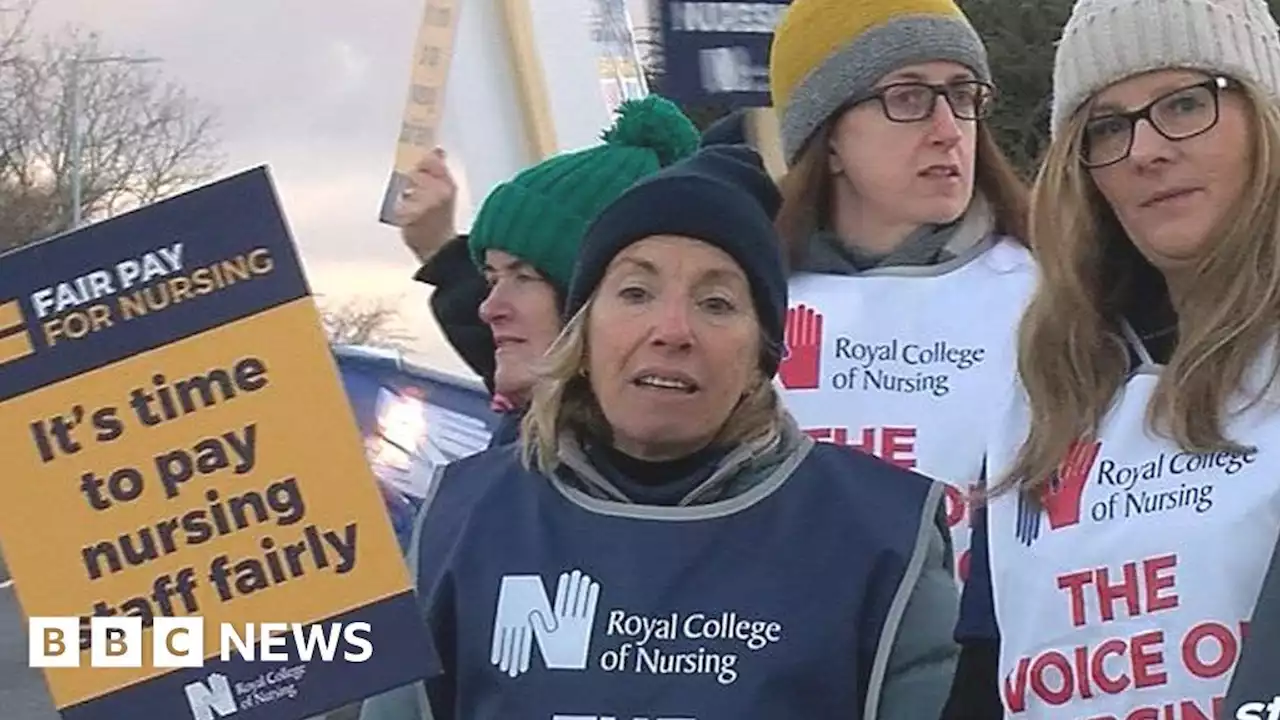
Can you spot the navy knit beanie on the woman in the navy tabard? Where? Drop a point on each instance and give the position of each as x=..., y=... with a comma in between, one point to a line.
x=721, y=195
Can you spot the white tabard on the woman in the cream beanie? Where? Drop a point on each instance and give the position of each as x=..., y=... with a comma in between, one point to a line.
x=1127, y=596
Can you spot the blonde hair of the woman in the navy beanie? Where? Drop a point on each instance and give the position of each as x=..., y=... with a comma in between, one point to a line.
x=564, y=402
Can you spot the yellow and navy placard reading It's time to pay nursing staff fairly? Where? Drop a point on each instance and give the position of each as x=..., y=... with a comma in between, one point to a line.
x=177, y=443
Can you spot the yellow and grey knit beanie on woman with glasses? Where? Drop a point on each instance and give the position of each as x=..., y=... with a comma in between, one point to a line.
x=828, y=52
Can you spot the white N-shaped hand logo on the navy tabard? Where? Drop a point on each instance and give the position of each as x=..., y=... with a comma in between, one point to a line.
x=564, y=635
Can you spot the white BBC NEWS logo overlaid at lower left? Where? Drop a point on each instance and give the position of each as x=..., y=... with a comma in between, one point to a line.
x=180, y=642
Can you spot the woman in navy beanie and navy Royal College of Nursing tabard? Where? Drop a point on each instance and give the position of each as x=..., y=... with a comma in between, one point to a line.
x=665, y=543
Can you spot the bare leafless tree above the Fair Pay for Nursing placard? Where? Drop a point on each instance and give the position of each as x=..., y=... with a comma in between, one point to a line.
x=143, y=138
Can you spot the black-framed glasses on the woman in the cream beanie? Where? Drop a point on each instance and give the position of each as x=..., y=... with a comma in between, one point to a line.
x=1180, y=115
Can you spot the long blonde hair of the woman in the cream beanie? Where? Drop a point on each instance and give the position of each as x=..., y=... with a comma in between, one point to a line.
x=1072, y=362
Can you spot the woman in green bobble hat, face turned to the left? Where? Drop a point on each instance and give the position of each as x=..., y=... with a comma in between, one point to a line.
x=527, y=234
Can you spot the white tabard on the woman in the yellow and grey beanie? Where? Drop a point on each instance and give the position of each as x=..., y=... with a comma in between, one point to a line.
x=911, y=364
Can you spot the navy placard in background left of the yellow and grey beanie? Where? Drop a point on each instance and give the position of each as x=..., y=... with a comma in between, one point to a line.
x=719, y=52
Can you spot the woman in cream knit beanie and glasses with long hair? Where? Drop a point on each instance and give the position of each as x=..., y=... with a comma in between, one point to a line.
x=1132, y=532
